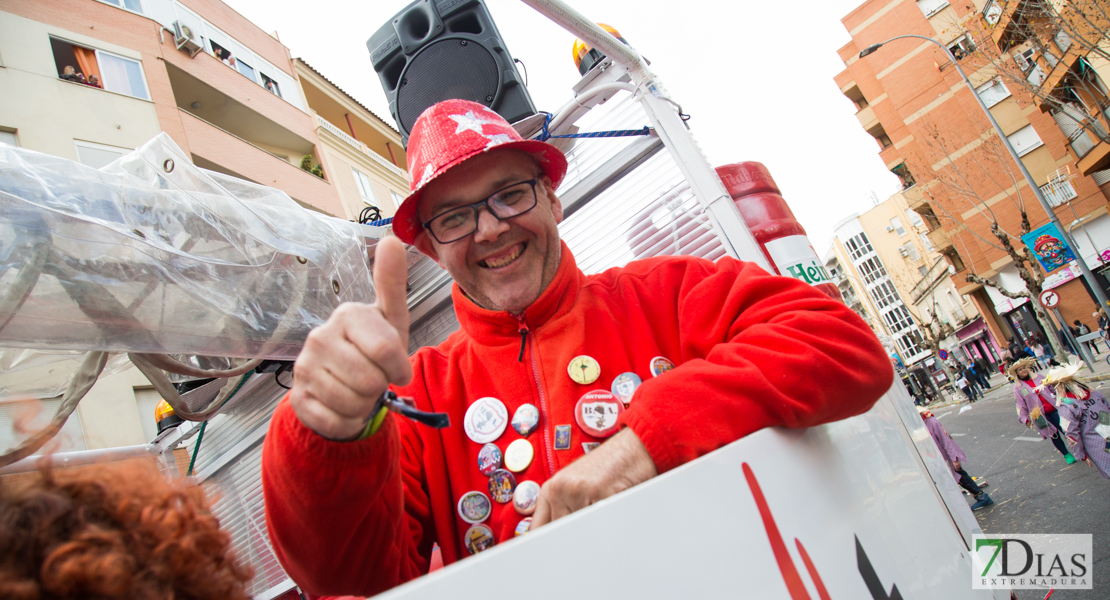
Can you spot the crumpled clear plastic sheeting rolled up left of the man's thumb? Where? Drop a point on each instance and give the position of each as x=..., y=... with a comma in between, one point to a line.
x=153, y=255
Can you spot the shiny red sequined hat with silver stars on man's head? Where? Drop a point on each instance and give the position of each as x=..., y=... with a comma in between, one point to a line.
x=451, y=133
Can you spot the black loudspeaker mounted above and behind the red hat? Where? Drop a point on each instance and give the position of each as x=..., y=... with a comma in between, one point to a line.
x=437, y=50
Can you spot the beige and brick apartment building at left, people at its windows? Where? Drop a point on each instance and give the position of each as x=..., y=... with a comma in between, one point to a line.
x=90, y=80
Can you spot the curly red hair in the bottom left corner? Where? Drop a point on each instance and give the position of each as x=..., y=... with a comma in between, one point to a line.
x=117, y=531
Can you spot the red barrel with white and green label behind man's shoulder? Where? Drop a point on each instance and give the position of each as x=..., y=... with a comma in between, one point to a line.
x=781, y=237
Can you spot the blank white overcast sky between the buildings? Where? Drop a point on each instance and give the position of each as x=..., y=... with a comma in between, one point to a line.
x=756, y=78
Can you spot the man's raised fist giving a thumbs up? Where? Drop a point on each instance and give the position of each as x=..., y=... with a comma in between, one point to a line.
x=349, y=362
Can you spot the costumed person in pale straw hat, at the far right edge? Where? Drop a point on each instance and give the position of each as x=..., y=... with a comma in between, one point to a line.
x=1088, y=416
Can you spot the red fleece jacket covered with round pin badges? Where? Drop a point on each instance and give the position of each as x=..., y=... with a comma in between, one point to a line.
x=753, y=351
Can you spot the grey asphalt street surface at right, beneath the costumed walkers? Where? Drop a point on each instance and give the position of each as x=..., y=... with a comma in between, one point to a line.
x=1034, y=490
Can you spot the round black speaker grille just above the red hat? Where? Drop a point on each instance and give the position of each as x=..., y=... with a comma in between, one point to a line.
x=445, y=70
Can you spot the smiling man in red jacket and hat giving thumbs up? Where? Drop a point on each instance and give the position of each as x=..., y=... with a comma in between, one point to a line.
x=697, y=355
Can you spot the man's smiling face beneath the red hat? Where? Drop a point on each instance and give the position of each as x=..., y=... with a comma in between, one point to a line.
x=504, y=266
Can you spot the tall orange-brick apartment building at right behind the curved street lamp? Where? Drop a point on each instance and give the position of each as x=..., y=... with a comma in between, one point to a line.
x=931, y=133
